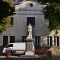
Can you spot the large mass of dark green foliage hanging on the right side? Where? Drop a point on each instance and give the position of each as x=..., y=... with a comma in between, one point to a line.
x=52, y=14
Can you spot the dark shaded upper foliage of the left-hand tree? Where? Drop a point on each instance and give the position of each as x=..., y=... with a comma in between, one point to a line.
x=5, y=8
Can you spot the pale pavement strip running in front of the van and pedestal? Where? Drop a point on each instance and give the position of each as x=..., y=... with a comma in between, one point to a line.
x=25, y=56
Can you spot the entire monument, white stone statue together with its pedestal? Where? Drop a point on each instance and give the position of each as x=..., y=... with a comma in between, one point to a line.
x=30, y=50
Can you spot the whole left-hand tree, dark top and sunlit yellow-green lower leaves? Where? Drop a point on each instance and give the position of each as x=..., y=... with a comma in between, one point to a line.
x=6, y=9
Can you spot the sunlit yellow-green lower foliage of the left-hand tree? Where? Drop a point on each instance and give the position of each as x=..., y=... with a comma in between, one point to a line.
x=4, y=24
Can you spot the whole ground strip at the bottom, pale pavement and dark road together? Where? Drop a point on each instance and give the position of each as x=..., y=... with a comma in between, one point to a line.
x=29, y=58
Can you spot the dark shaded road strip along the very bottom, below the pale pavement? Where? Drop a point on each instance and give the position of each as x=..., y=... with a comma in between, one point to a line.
x=44, y=58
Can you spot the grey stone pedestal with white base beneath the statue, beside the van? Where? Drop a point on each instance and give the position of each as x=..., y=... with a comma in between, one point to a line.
x=30, y=50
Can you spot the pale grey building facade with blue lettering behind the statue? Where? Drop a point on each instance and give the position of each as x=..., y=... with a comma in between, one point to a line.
x=29, y=12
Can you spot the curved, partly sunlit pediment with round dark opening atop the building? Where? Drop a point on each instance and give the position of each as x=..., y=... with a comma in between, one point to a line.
x=28, y=5
